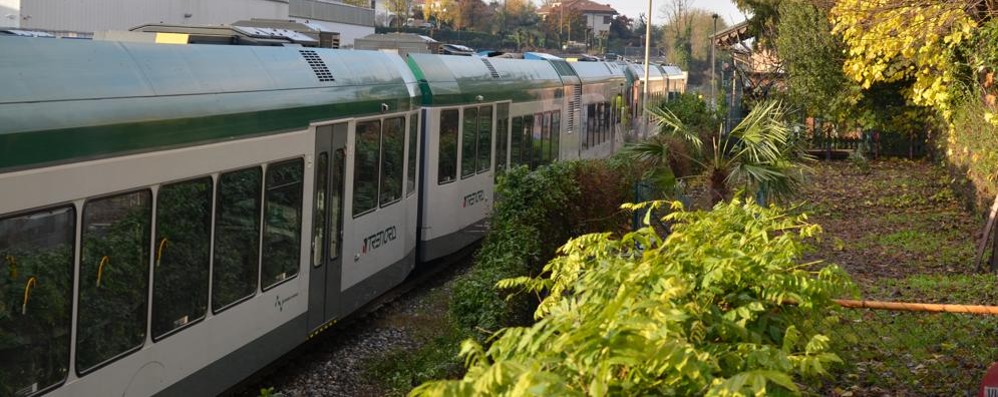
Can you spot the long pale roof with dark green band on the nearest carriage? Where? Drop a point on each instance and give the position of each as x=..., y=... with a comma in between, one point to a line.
x=68, y=99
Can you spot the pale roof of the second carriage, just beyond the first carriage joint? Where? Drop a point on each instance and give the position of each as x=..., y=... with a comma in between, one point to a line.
x=447, y=79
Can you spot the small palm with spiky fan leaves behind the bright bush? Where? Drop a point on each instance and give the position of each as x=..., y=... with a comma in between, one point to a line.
x=760, y=155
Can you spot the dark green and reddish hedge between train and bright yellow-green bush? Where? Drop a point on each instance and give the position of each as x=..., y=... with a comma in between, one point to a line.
x=534, y=214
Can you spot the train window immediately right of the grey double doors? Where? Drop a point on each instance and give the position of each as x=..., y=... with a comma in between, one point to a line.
x=365, y=166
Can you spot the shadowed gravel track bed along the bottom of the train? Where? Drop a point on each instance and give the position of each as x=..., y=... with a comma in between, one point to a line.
x=332, y=363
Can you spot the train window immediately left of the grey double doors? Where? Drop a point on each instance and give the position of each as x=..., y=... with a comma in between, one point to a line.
x=282, y=222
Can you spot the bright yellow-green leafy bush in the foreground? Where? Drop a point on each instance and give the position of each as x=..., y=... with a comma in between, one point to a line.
x=703, y=311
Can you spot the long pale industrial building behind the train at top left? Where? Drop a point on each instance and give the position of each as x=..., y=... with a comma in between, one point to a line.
x=84, y=17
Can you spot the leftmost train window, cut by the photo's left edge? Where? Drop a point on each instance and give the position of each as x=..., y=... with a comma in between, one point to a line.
x=36, y=253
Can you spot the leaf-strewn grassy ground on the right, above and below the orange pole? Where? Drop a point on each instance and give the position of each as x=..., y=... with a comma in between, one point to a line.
x=899, y=229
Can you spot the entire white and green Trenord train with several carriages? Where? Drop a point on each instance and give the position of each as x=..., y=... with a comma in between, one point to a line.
x=175, y=217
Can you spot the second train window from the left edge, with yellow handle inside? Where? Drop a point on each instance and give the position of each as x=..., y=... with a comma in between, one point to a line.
x=114, y=278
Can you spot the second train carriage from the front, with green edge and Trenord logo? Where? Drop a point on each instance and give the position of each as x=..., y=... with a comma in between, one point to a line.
x=466, y=100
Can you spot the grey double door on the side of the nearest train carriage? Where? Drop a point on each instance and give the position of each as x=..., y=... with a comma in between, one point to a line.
x=327, y=224
